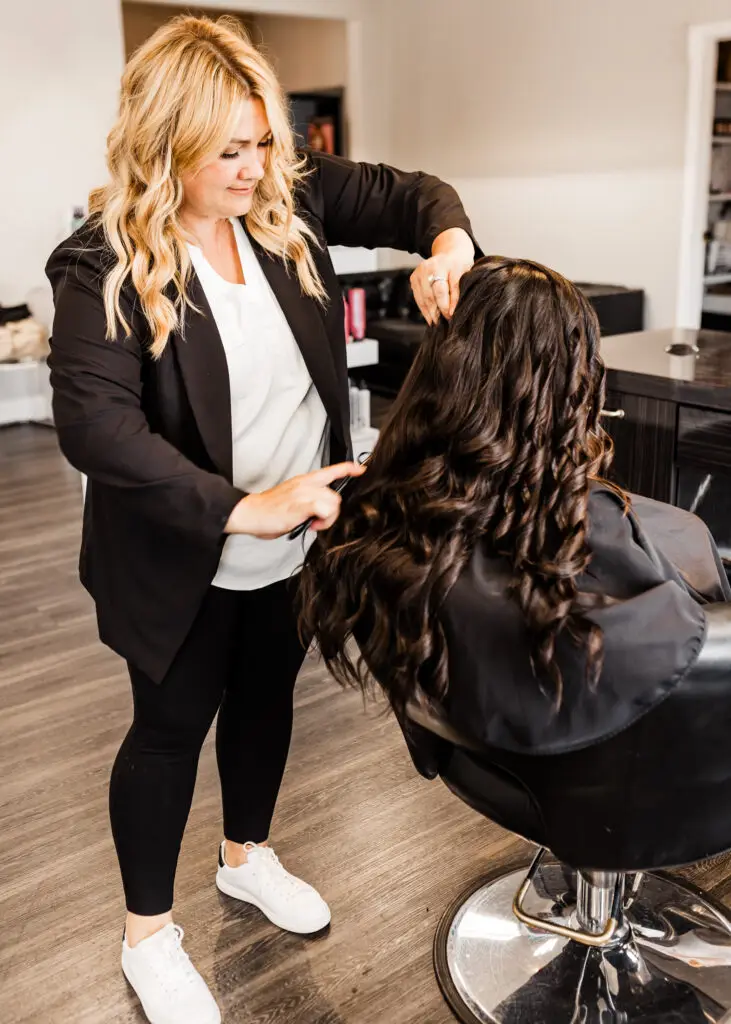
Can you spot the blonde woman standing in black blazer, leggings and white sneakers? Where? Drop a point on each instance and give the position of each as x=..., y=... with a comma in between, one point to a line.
x=200, y=382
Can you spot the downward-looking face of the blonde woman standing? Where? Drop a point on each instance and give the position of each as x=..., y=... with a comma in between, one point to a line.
x=226, y=187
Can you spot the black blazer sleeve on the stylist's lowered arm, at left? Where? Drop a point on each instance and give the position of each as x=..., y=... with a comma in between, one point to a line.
x=103, y=430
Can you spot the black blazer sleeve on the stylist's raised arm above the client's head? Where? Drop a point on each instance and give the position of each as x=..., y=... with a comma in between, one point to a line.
x=374, y=205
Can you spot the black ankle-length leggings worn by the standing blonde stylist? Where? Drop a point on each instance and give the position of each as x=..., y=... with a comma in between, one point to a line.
x=242, y=657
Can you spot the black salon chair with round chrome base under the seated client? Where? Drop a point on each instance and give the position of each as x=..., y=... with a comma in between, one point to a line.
x=593, y=932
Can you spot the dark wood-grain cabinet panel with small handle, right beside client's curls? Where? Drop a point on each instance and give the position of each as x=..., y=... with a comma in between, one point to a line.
x=644, y=444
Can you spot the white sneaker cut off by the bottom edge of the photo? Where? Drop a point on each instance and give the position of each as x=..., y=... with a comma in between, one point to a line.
x=167, y=985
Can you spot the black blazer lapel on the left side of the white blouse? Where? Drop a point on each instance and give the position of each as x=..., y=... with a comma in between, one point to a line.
x=205, y=372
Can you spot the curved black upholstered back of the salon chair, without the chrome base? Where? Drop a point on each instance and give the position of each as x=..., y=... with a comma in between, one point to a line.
x=657, y=795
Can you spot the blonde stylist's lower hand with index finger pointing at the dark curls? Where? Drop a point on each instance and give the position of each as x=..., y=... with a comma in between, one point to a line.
x=278, y=511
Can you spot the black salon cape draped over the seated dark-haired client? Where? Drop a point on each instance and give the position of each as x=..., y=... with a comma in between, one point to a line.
x=659, y=567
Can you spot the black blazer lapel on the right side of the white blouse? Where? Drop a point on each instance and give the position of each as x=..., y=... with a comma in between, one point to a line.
x=310, y=331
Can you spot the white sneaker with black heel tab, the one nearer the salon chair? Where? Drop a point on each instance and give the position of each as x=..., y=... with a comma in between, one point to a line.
x=288, y=903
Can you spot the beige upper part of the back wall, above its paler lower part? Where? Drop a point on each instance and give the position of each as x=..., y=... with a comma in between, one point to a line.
x=532, y=88
